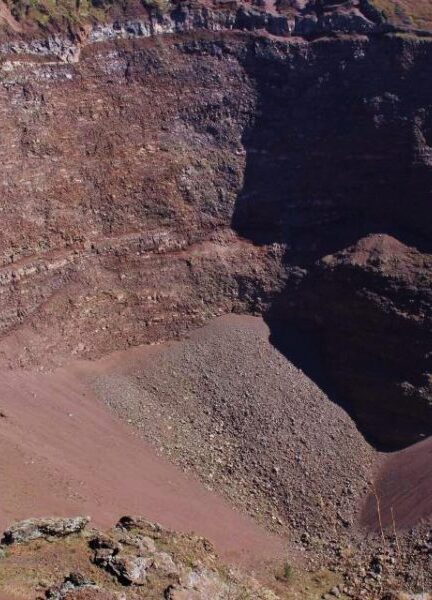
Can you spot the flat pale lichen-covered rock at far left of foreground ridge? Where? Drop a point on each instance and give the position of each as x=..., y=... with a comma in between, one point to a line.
x=33, y=529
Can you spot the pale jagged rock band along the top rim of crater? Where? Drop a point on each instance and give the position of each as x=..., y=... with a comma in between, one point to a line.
x=308, y=20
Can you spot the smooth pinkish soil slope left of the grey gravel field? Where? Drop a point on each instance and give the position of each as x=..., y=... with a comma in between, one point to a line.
x=63, y=453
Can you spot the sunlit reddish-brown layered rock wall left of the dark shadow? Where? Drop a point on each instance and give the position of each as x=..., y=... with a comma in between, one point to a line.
x=120, y=174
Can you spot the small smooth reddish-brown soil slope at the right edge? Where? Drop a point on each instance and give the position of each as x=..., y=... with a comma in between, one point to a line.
x=404, y=485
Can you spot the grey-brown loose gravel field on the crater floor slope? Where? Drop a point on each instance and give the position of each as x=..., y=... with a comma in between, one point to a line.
x=225, y=404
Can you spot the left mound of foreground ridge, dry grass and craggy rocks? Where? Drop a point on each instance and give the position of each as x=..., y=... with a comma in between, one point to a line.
x=146, y=560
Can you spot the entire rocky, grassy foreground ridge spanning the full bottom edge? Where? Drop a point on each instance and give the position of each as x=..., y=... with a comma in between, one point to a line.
x=138, y=559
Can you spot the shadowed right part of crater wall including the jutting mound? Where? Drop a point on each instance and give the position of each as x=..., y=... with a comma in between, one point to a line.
x=319, y=180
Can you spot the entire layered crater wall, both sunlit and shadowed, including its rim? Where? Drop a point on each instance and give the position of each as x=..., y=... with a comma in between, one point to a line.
x=163, y=168
